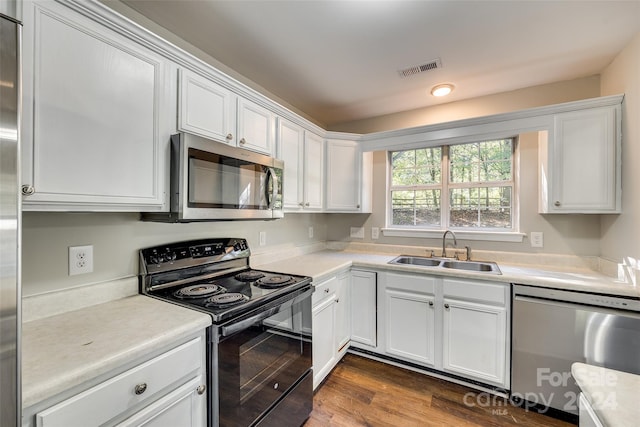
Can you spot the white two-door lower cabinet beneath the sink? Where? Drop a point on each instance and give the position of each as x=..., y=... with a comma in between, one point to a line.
x=457, y=326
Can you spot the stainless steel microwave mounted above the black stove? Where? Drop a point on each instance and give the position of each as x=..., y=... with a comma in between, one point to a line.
x=213, y=181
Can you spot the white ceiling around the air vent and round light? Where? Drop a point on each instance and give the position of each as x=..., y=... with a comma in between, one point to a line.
x=338, y=61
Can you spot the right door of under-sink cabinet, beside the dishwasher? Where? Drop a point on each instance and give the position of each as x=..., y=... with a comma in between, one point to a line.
x=474, y=340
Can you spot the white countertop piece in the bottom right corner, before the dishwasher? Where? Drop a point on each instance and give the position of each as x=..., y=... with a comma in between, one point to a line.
x=613, y=395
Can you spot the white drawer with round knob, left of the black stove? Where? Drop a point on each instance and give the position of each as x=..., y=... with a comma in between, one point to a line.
x=117, y=395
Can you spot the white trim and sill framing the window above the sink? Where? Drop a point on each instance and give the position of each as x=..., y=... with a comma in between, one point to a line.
x=512, y=235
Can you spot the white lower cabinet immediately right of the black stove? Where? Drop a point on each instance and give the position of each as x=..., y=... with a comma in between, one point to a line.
x=331, y=325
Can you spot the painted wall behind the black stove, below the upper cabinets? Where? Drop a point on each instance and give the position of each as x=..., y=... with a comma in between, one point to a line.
x=116, y=238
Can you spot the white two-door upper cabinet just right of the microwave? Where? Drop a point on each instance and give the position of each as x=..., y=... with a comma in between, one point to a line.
x=303, y=156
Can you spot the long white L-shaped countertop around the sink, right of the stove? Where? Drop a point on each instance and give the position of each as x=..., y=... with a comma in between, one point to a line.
x=321, y=264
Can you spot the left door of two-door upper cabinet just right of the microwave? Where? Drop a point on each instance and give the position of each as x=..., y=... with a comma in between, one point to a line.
x=291, y=151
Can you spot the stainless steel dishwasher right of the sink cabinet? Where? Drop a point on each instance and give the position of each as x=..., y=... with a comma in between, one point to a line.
x=554, y=328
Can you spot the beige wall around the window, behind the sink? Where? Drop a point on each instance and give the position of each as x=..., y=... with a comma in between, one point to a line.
x=563, y=234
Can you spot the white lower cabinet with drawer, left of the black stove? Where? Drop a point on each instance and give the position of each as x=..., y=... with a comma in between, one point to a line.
x=166, y=390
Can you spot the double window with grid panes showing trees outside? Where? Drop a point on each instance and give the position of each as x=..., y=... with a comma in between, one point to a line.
x=467, y=186
